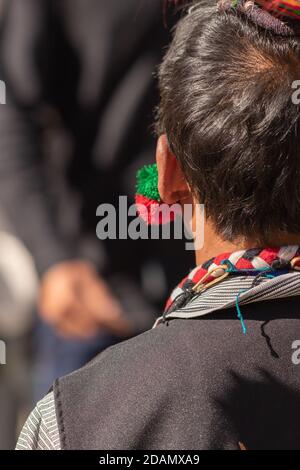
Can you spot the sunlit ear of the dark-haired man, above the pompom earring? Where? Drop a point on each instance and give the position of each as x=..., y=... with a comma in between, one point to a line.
x=172, y=185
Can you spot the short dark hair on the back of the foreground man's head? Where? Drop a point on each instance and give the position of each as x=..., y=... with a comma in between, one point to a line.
x=226, y=107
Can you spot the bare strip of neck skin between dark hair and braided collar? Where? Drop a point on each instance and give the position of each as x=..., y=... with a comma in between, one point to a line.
x=215, y=245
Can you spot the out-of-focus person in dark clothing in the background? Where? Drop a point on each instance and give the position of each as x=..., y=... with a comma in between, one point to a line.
x=81, y=90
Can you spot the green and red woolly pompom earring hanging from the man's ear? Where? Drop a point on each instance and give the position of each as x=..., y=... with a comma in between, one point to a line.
x=150, y=206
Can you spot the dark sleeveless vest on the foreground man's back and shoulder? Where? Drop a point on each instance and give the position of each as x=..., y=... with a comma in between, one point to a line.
x=191, y=384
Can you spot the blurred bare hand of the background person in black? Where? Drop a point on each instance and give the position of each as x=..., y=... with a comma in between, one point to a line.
x=77, y=302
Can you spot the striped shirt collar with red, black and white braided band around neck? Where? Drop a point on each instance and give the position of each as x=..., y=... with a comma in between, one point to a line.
x=252, y=275
